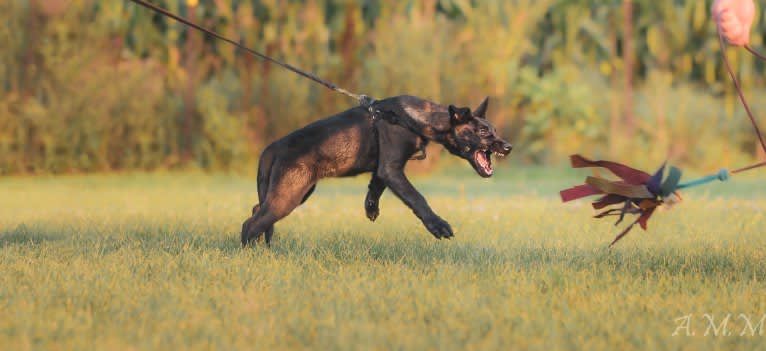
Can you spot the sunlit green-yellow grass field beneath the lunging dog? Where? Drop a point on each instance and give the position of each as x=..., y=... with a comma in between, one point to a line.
x=154, y=262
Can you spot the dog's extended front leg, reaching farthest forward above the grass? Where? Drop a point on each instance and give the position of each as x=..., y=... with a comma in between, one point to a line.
x=394, y=178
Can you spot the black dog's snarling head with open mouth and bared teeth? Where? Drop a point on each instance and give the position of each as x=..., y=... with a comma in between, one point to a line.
x=473, y=138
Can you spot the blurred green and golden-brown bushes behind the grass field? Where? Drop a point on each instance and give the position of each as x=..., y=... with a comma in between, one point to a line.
x=105, y=85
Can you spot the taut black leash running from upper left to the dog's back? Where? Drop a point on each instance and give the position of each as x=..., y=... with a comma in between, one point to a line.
x=363, y=100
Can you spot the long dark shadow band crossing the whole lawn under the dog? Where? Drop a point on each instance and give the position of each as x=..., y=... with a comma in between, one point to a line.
x=416, y=252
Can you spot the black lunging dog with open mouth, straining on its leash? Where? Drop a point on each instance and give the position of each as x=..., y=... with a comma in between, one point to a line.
x=357, y=141
